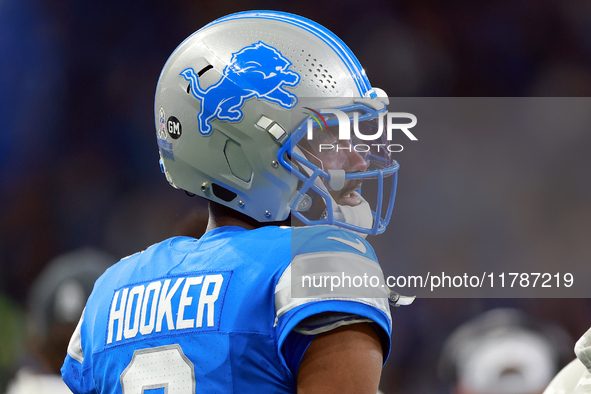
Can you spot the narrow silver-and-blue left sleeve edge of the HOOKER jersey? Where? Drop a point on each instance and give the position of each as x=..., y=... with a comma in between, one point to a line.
x=76, y=371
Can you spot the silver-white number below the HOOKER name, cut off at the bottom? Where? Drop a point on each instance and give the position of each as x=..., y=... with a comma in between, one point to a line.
x=162, y=369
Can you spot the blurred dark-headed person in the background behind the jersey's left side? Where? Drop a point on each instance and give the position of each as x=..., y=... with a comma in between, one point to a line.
x=54, y=305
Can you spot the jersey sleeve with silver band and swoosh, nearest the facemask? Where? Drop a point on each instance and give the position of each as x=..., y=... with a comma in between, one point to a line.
x=333, y=279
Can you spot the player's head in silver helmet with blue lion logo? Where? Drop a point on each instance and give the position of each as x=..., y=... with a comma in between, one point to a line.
x=263, y=112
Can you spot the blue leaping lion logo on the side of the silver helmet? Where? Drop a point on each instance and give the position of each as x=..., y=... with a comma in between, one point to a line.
x=257, y=70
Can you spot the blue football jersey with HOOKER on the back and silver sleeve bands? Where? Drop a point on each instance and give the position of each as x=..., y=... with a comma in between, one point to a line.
x=211, y=315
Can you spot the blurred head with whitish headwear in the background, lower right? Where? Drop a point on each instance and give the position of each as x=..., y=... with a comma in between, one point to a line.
x=503, y=351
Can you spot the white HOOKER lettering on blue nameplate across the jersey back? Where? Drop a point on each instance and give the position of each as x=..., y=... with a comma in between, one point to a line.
x=170, y=304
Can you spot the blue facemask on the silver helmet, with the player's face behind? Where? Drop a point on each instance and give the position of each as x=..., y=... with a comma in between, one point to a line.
x=331, y=169
